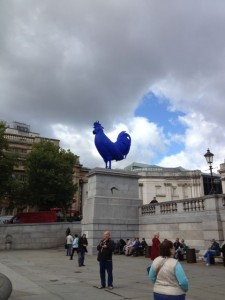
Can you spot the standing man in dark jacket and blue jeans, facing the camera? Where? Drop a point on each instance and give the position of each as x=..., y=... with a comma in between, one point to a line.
x=105, y=250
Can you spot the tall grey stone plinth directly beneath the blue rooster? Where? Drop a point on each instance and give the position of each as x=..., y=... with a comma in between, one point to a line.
x=112, y=204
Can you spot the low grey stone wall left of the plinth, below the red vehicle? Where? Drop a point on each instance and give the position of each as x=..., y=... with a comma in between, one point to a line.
x=35, y=236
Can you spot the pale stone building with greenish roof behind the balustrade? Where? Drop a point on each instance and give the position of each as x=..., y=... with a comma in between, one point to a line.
x=169, y=184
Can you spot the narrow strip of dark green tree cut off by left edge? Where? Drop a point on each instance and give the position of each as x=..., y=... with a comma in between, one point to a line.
x=7, y=162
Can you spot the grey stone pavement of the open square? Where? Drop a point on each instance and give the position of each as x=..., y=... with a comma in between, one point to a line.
x=50, y=275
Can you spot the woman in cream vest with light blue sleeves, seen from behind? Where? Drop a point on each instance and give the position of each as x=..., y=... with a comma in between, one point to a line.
x=167, y=274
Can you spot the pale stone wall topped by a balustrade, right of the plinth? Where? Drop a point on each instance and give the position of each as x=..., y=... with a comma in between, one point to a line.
x=196, y=220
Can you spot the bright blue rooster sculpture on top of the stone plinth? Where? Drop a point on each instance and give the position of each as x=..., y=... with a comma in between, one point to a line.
x=107, y=149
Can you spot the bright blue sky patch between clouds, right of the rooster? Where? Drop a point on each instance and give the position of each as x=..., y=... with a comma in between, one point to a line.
x=157, y=110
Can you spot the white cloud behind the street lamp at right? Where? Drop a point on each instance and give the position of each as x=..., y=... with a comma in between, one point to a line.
x=199, y=136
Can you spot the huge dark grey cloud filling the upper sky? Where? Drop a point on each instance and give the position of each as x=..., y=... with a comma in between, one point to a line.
x=74, y=62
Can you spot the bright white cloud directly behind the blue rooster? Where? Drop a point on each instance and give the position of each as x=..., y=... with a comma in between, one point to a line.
x=146, y=139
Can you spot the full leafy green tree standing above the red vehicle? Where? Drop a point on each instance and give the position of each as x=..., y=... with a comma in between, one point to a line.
x=49, y=172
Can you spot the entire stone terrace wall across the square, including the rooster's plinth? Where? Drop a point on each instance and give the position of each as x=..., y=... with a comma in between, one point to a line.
x=112, y=203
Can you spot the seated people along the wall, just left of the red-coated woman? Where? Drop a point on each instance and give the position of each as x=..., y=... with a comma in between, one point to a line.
x=133, y=247
